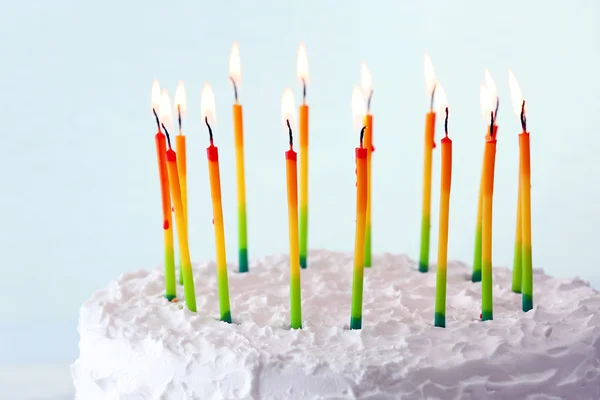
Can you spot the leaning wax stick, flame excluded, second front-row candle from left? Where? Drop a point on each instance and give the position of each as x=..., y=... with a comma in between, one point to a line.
x=182, y=237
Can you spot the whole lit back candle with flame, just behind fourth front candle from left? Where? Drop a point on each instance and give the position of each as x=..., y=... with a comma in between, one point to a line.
x=302, y=72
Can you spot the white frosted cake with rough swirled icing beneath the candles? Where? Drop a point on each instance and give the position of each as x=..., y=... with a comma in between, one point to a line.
x=134, y=344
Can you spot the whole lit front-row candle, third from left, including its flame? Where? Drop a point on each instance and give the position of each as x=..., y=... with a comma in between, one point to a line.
x=207, y=105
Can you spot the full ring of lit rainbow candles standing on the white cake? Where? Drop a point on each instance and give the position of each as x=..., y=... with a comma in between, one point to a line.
x=173, y=182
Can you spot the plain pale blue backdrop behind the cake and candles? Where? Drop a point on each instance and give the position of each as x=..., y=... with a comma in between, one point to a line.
x=80, y=197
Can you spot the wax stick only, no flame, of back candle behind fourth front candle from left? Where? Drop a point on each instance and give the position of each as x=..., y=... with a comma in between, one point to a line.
x=303, y=125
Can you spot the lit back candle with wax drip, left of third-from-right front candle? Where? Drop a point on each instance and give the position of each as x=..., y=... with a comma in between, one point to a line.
x=429, y=145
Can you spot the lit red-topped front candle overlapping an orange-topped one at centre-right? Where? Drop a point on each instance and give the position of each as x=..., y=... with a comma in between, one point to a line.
x=361, y=157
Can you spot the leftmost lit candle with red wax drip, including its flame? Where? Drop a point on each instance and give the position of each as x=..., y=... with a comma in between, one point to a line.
x=161, y=149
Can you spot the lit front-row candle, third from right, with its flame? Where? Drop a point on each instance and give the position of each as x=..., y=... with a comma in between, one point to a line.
x=446, y=179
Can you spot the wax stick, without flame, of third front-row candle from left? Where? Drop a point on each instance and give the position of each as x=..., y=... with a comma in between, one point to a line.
x=215, y=189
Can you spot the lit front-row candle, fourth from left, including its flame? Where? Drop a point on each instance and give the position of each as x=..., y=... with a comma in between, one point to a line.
x=287, y=113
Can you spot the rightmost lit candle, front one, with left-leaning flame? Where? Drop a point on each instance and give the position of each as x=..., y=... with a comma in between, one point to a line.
x=524, y=194
